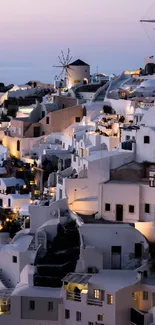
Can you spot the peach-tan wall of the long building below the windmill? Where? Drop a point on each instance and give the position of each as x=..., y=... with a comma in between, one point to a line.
x=66, y=116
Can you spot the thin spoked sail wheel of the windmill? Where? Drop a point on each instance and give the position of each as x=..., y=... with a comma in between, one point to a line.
x=64, y=65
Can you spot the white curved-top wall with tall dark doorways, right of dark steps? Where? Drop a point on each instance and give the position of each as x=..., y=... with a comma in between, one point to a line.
x=104, y=236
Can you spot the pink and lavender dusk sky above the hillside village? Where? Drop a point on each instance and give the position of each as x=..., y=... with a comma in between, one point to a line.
x=104, y=33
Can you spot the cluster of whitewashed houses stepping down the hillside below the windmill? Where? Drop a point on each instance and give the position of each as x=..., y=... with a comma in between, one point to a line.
x=85, y=258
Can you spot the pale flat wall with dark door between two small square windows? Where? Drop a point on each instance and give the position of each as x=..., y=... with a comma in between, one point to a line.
x=119, y=193
